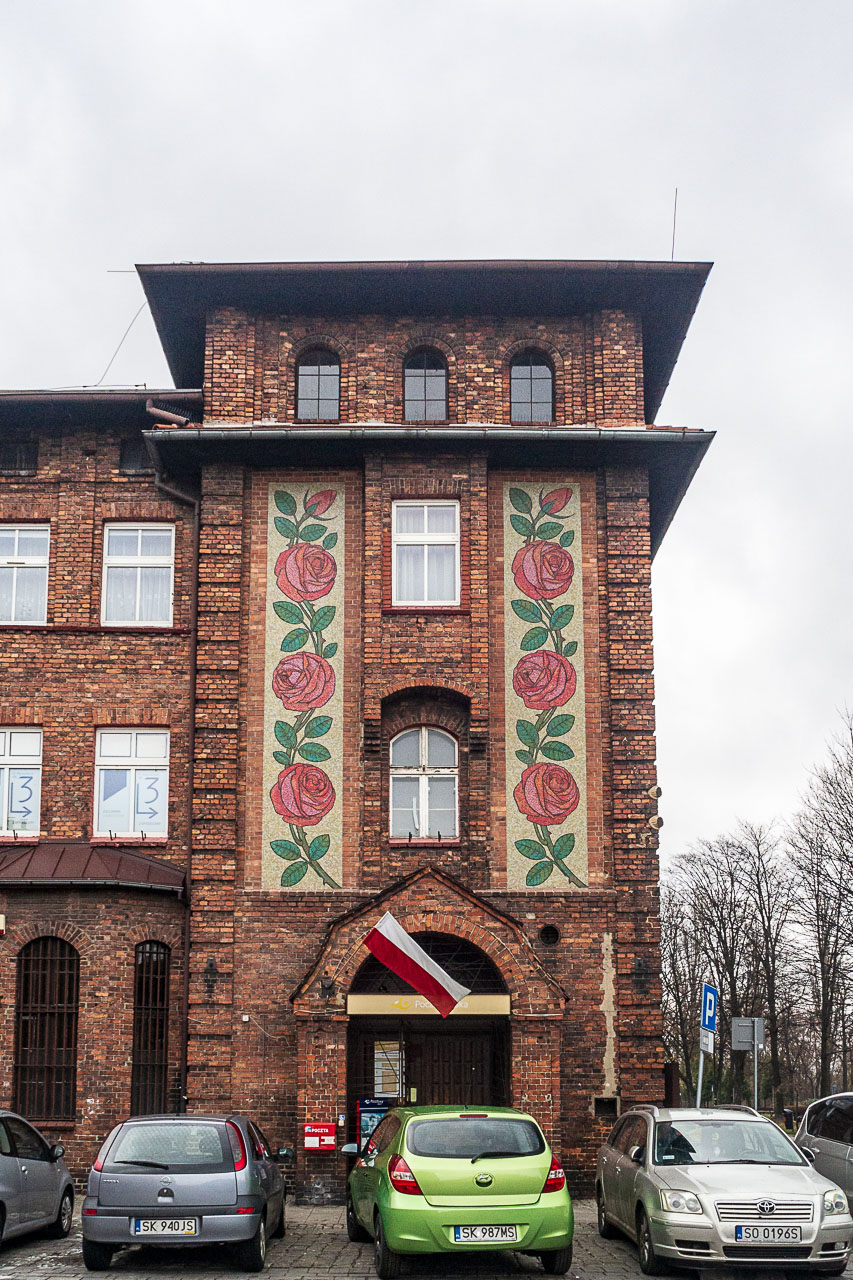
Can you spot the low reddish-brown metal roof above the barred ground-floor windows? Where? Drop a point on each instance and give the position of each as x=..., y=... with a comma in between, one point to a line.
x=80, y=865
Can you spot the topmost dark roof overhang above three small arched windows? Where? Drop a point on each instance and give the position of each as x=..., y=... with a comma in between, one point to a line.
x=664, y=295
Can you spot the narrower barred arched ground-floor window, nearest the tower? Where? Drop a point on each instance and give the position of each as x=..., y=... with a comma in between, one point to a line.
x=150, y=1028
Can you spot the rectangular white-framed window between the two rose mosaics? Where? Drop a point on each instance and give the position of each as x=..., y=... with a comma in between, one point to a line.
x=426, y=554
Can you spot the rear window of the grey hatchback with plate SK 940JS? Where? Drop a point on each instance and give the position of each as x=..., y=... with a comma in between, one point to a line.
x=181, y=1146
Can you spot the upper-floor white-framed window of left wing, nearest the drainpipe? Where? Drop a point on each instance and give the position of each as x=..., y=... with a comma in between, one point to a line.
x=139, y=570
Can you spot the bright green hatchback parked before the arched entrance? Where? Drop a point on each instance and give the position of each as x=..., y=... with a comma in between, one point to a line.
x=449, y=1180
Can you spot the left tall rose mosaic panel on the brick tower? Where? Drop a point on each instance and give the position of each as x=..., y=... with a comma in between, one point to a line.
x=304, y=689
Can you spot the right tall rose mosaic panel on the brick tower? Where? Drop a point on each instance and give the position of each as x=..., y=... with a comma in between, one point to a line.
x=546, y=748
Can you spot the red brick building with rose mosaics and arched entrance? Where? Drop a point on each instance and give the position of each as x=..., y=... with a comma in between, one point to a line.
x=358, y=620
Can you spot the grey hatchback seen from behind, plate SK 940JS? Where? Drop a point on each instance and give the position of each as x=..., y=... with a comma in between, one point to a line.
x=190, y=1180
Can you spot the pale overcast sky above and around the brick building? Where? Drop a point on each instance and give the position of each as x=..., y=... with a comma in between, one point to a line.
x=300, y=130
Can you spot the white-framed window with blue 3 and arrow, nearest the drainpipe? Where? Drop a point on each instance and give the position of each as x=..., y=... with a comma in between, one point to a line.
x=131, y=783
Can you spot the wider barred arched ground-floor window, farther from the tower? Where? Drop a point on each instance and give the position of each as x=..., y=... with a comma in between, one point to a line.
x=48, y=999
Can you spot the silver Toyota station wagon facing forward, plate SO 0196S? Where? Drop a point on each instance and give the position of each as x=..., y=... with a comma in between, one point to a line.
x=719, y=1187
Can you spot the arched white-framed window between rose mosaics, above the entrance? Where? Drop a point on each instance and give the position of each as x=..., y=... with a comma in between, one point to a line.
x=425, y=784
